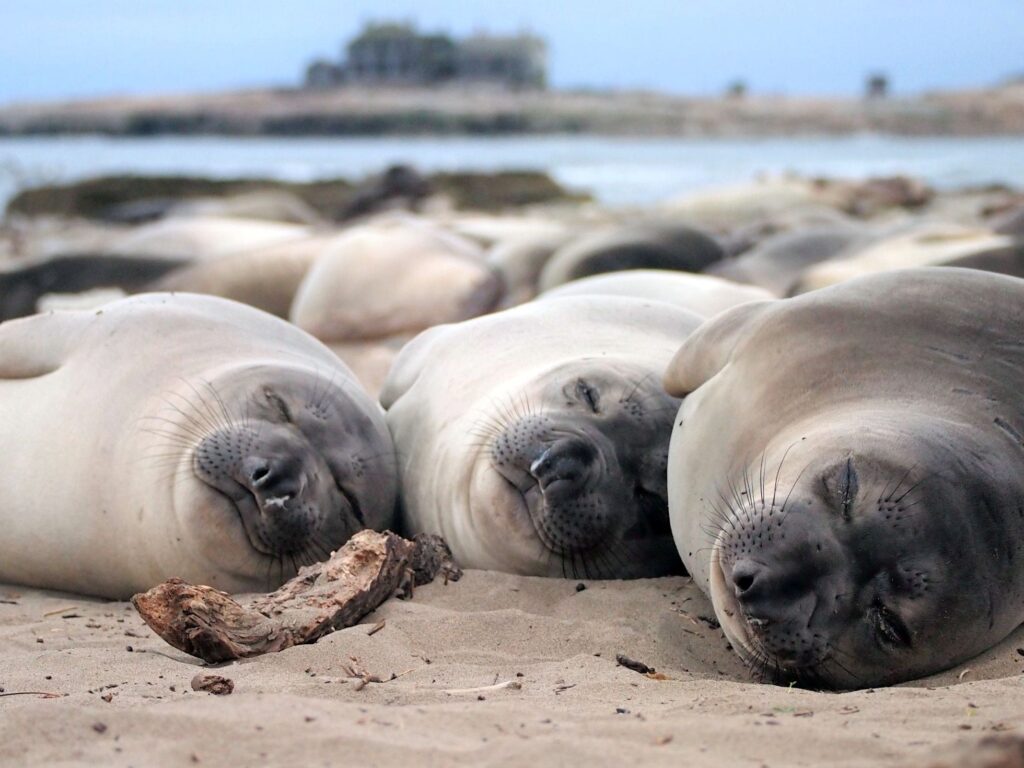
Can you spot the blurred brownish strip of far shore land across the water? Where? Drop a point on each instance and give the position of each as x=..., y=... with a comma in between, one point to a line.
x=396, y=112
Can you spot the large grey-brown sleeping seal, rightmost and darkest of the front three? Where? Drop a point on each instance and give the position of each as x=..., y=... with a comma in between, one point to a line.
x=858, y=518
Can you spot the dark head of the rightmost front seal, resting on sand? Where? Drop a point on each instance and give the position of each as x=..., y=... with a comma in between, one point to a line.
x=863, y=557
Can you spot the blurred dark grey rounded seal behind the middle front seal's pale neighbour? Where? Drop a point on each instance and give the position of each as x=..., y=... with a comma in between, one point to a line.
x=647, y=246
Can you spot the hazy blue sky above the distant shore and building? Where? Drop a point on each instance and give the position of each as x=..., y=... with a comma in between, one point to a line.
x=71, y=49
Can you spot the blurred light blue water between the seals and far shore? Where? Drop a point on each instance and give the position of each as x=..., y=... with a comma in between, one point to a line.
x=616, y=172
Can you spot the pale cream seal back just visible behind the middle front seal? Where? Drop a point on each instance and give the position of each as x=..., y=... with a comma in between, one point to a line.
x=701, y=294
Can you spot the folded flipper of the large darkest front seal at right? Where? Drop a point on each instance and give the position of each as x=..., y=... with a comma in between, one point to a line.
x=709, y=349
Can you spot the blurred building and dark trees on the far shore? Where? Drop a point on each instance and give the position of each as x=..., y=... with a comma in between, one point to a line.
x=399, y=55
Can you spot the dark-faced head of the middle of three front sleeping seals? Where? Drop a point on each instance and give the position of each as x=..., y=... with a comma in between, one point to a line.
x=572, y=463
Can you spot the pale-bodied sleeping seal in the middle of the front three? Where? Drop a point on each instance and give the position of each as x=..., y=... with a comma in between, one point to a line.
x=535, y=440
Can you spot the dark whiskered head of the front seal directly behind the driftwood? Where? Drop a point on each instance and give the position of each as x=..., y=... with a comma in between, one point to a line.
x=287, y=463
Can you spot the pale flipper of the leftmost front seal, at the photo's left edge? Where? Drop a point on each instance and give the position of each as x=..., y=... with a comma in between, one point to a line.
x=37, y=346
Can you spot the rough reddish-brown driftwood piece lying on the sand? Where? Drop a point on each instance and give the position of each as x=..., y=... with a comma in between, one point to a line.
x=327, y=596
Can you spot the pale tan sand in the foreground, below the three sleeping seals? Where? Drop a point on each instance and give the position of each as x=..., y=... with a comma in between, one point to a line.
x=123, y=697
